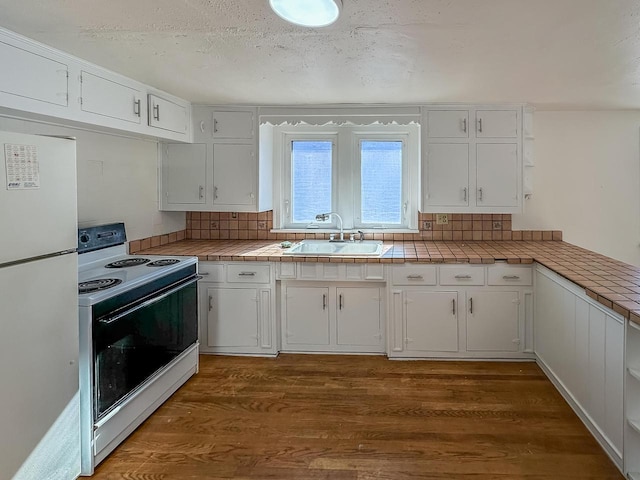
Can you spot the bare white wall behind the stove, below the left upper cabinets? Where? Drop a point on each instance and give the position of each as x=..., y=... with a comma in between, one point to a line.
x=117, y=179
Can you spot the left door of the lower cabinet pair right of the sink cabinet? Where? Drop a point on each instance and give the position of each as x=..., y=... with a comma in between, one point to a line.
x=431, y=321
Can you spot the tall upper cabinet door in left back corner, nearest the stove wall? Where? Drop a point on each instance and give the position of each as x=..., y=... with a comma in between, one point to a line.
x=184, y=170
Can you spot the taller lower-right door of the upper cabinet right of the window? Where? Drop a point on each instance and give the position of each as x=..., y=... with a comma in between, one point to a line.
x=497, y=175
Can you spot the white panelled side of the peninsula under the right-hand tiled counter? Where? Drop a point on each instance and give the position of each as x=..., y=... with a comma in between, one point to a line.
x=580, y=345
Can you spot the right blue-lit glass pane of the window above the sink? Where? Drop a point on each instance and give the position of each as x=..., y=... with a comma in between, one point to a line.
x=381, y=176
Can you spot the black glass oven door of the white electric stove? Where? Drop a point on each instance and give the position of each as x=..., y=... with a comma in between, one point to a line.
x=139, y=339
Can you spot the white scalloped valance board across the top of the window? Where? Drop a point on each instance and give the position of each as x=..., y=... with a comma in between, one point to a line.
x=341, y=115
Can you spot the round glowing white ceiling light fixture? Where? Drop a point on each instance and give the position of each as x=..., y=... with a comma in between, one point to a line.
x=307, y=13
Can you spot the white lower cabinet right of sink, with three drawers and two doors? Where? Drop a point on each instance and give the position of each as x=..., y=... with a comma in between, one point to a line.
x=446, y=318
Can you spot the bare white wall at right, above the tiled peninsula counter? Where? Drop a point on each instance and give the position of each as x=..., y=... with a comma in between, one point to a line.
x=587, y=180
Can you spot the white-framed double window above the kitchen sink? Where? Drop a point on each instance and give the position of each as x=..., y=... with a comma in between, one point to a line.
x=368, y=175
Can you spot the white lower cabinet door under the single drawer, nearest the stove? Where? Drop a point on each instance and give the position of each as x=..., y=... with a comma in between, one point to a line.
x=232, y=319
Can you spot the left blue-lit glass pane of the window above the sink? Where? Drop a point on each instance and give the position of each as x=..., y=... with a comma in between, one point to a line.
x=311, y=163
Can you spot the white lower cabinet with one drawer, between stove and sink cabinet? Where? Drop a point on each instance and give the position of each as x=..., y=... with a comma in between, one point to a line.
x=237, y=309
